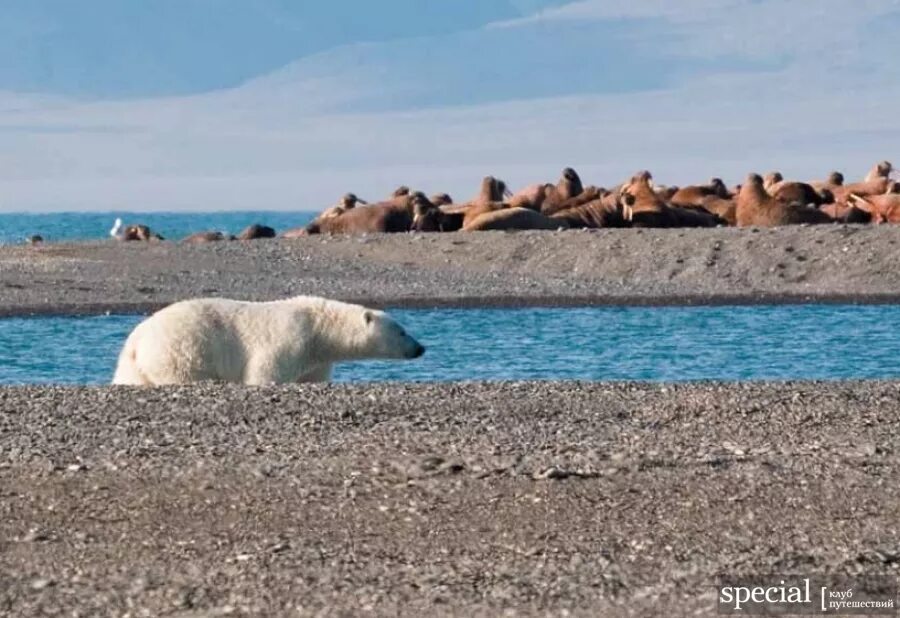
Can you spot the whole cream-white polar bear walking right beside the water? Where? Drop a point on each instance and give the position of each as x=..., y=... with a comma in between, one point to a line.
x=292, y=340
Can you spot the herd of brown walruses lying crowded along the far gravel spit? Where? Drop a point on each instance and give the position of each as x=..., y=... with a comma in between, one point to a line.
x=638, y=202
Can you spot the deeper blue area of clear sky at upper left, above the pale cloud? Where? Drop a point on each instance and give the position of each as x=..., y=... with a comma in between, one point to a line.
x=127, y=48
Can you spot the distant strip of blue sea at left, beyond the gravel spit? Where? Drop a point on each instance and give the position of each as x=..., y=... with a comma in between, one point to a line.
x=80, y=226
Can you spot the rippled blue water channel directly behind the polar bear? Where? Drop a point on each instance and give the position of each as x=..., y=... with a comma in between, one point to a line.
x=609, y=343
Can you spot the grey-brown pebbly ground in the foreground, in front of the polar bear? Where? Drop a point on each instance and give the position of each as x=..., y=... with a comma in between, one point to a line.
x=466, y=499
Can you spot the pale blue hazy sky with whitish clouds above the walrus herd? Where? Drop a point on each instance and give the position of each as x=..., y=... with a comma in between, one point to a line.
x=277, y=104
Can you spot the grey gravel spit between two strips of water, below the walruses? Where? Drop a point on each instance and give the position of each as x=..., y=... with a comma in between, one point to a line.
x=792, y=264
